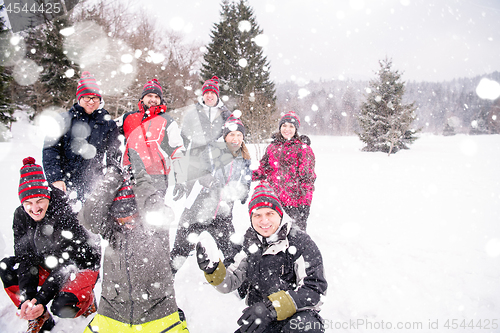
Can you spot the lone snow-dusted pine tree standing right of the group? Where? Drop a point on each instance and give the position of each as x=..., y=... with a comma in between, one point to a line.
x=386, y=123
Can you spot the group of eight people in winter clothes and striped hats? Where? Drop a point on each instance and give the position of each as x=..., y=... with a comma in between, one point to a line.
x=95, y=193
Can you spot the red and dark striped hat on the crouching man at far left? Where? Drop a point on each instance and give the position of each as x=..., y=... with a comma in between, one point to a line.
x=32, y=183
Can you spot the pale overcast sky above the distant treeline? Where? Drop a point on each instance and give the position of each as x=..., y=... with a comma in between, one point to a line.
x=429, y=40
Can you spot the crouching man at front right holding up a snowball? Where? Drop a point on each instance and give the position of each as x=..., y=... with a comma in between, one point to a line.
x=280, y=266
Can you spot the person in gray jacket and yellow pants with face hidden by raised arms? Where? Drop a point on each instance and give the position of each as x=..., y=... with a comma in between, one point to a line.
x=137, y=258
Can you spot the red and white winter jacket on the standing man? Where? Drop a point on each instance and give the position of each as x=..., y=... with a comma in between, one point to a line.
x=155, y=136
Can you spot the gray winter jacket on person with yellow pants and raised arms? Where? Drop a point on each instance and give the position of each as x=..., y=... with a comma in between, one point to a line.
x=138, y=285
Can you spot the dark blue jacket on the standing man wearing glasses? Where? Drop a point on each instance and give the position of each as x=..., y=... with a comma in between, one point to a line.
x=79, y=156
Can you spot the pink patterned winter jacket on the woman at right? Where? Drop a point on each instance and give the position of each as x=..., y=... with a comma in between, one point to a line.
x=288, y=165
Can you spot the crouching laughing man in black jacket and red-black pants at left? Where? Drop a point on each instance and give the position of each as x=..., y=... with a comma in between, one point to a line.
x=55, y=258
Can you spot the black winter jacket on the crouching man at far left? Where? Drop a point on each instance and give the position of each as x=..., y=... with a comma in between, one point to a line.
x=58, y=238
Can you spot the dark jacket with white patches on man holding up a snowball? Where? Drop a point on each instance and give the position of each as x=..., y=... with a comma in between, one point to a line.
x=292, y=263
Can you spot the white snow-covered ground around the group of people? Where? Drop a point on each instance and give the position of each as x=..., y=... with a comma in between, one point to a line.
x=410, y=242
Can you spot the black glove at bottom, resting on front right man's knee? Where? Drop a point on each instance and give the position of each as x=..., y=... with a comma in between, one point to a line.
x=257, y=317
